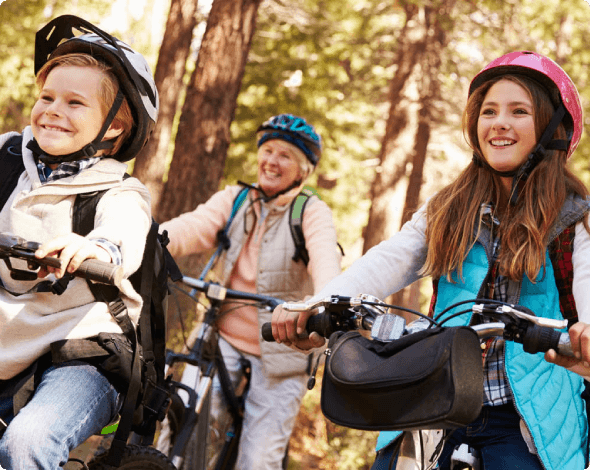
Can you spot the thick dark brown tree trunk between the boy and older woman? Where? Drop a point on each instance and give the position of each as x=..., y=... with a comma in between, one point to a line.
x=204, y=129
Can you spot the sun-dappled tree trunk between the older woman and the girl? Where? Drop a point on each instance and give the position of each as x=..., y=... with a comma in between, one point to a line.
x=415, y=91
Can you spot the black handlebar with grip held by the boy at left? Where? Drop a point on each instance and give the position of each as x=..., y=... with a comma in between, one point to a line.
x=13, y=246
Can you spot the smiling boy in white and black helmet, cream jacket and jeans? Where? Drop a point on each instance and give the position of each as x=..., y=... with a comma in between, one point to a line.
x=96, y=106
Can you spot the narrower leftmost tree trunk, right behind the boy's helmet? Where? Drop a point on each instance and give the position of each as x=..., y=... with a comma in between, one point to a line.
x=150, y=164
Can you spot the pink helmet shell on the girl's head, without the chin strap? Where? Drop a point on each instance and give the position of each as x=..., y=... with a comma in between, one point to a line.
x=553, y=78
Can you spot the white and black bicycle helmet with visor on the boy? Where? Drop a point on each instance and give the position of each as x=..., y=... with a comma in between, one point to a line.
x=69, y=34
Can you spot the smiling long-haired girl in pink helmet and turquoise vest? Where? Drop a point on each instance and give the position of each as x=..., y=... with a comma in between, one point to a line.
x=512, y=227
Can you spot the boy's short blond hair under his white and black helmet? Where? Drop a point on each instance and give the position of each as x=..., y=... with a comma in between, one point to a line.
x=109, y=86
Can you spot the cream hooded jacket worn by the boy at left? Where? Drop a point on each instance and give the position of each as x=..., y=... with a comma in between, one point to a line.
x=30, y=322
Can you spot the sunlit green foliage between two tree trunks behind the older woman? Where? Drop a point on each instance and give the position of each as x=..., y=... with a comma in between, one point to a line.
x=318, y=60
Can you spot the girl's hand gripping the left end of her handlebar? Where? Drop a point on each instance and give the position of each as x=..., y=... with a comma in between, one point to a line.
x=289, y=328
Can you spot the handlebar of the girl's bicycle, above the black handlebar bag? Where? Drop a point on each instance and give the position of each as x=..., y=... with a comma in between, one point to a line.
x=515, y=322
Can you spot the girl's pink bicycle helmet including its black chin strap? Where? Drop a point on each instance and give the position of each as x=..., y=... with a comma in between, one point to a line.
x=560, y=89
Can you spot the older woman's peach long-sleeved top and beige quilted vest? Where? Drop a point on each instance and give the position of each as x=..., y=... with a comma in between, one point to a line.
x=259, y=260
